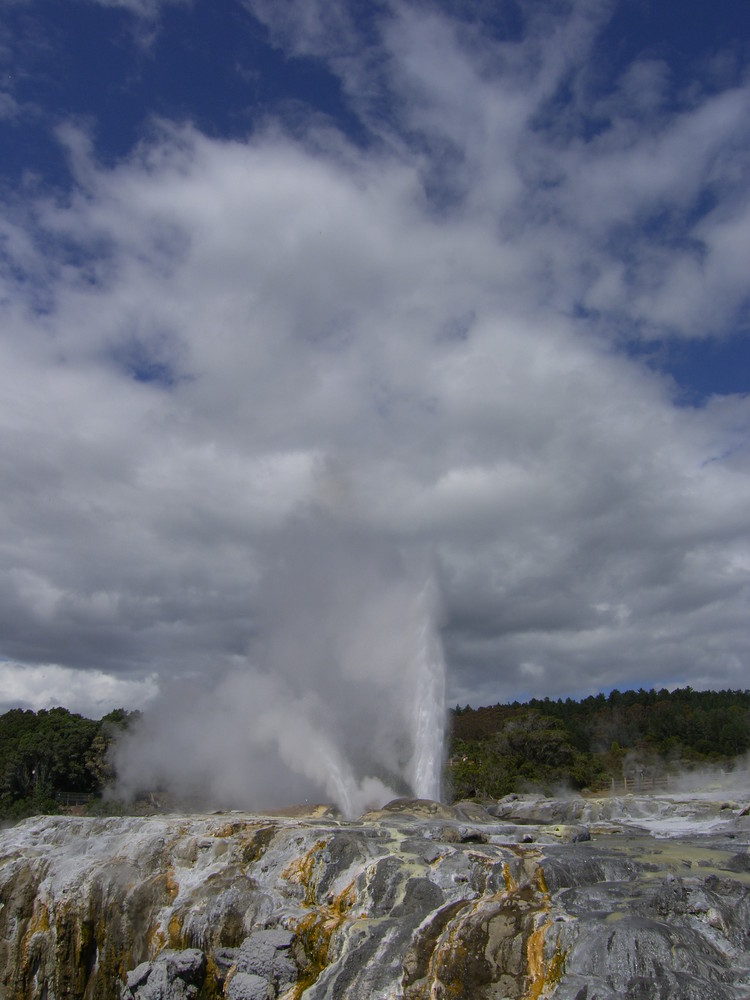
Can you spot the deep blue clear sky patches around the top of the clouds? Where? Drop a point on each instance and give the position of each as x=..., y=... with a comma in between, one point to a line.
x=114, y=69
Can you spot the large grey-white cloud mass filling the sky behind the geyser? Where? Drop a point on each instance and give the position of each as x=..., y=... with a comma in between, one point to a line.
x=235, y=332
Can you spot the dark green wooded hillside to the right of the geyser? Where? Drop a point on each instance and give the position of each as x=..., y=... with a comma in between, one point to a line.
x=633, y=736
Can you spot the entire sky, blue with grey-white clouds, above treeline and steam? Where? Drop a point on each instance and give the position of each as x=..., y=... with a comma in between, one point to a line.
x=459, y=288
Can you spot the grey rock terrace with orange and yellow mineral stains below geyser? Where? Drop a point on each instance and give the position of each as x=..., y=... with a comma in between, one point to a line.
x=580, y=899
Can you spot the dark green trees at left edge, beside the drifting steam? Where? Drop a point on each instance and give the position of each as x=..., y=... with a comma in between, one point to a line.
x=50, y=758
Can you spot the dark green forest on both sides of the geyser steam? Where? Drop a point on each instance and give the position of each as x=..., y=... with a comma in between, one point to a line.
x=54, y=760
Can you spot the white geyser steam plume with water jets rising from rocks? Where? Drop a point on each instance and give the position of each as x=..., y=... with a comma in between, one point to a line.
x=340, y=697
